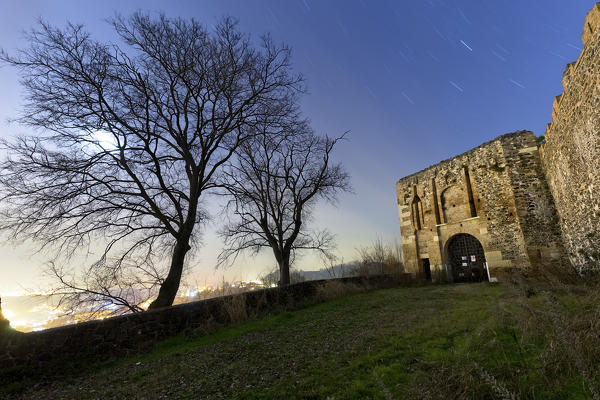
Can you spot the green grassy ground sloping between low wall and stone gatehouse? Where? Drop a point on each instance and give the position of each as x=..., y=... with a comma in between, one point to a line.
x=451, y=341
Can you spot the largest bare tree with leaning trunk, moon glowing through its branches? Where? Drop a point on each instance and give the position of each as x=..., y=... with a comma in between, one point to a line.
x=131, y=135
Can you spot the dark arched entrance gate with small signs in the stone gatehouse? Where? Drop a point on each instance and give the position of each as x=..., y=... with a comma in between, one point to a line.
x=467, y=258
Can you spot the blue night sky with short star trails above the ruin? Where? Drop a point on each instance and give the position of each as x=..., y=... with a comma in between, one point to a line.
x=415, y=82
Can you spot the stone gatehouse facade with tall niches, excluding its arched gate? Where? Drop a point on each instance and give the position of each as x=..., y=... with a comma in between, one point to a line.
x=495, y=192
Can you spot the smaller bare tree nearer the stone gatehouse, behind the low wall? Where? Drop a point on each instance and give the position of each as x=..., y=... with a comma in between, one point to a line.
x=278, y=178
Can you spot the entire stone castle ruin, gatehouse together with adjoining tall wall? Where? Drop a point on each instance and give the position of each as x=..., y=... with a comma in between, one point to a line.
x=507, y=203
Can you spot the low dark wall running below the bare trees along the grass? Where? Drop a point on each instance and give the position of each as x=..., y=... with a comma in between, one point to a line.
x=30, y=353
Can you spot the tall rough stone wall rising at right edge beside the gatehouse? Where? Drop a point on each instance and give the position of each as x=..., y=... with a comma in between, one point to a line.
x=571, y=154
